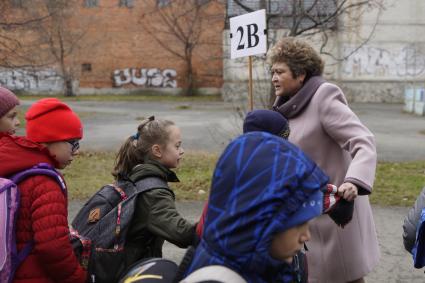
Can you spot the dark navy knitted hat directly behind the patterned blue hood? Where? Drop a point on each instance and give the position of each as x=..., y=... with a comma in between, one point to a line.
x=266, y=121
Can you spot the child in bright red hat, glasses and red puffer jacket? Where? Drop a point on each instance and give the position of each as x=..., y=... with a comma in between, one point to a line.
x=53, y=131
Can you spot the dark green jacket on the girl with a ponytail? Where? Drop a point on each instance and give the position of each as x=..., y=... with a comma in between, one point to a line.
x=156, y=218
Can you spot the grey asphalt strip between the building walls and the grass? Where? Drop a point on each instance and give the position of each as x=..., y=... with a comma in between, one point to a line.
x=210, y=126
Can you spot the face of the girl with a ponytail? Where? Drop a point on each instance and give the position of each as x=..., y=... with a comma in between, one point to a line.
x=170, y=154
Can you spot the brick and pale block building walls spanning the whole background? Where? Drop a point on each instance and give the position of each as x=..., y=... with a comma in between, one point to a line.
x=373, y=51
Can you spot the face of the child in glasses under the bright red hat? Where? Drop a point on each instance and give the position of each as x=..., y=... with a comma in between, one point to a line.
x=64, y=151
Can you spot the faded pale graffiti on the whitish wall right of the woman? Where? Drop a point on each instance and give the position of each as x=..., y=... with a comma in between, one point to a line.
x=407, y=61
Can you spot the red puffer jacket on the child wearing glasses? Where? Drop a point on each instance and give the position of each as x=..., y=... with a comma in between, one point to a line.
x=42, y=217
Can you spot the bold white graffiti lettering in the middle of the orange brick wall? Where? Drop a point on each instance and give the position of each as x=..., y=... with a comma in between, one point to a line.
x=145, y=77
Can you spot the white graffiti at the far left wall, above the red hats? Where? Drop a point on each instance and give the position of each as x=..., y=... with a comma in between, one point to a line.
x=21, y=79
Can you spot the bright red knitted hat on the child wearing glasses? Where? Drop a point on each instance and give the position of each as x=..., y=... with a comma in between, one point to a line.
x=50, y=120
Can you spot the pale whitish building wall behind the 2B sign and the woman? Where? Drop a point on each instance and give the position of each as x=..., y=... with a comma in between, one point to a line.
x=374, y=53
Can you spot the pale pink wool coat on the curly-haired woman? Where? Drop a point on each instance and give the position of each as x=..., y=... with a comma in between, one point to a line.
x=333, y=136
